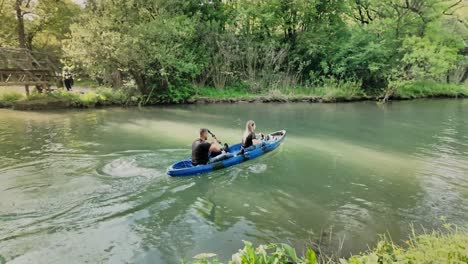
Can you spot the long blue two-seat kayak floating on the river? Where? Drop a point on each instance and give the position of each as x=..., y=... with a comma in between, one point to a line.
x=186, y=168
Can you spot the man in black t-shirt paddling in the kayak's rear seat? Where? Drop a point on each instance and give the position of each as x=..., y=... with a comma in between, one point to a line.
x=201, y=148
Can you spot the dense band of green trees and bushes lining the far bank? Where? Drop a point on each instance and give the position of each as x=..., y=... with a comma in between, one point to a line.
x=169, y=46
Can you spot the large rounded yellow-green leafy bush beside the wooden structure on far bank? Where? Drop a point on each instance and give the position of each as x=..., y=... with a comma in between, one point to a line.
x=151, y=46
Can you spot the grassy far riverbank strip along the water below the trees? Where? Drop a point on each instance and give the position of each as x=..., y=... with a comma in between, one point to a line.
x=102, y=97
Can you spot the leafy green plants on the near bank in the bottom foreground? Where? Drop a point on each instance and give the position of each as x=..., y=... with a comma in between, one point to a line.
x=449, y=246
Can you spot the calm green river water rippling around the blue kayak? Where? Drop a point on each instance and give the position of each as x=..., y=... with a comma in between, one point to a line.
x=90, y=185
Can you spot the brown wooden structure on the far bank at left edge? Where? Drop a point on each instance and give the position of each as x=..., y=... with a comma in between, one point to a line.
x=24, y=67
